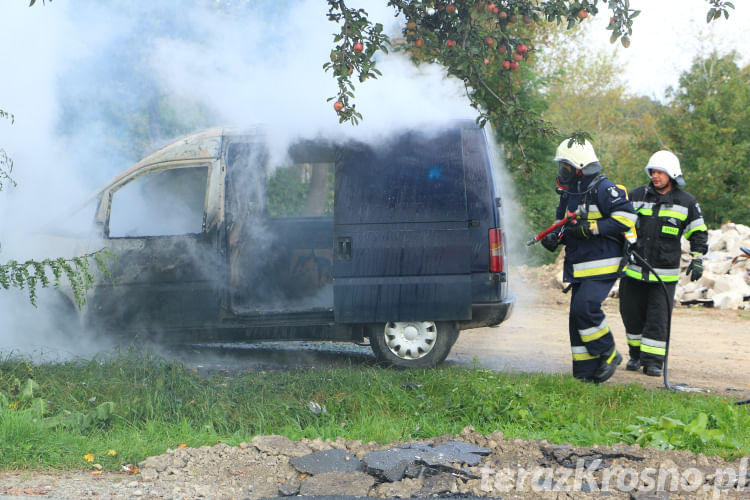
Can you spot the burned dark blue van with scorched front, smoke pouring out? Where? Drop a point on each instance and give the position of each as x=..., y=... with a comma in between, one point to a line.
x=218, y=237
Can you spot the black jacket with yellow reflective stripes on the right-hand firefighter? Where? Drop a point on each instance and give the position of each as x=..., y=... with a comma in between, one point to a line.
x=662, y=219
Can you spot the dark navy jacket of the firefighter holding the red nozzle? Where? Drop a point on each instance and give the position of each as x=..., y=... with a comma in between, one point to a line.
x=610, y=214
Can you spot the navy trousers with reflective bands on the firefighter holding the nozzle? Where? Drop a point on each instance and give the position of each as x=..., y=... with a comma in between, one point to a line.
x=590, y=336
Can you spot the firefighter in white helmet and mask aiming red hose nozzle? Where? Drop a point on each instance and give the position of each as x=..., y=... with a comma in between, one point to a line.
x=594, y=245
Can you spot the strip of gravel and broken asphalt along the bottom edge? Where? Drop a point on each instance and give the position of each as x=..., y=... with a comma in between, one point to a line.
x=514, y=468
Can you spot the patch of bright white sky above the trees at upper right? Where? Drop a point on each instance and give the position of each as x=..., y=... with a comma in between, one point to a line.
x=667, y=36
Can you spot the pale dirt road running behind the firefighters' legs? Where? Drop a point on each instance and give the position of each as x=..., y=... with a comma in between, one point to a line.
x=710, y=348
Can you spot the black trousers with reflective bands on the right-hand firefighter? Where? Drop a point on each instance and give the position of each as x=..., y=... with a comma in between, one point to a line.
x=645, y=312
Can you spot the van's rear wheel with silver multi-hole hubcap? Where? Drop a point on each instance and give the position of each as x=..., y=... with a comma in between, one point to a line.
x=412, y=344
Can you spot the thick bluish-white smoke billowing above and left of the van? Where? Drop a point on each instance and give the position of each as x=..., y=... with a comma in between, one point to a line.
x=94, y=86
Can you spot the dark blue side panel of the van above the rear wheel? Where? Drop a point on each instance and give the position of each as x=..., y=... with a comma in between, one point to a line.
x=401, y=235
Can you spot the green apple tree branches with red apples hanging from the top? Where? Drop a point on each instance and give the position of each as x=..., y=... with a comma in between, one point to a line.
x=483, y=44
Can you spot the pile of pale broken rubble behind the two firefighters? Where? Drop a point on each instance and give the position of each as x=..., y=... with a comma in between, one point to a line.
x=725, y=283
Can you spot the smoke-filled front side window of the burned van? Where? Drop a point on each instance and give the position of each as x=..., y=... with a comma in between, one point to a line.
x=160, y=203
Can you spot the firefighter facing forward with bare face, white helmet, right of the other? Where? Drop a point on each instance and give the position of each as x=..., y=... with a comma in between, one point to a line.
x=665, y=213
